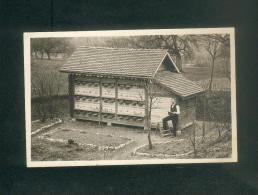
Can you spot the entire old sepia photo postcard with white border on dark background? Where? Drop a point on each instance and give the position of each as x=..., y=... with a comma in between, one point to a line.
x=129, y=97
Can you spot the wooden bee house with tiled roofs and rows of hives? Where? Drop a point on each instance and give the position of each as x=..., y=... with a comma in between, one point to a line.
x=114, y=85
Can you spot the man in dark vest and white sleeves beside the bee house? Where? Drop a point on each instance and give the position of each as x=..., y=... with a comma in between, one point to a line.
x=173, y=116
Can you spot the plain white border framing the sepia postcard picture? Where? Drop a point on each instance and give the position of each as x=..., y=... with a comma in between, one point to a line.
x=116, y=33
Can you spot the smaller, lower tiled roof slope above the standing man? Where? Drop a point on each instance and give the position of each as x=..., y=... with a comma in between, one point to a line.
x=178, y=84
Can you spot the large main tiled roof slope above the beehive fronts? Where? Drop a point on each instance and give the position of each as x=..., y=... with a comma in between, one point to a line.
x=115, y=61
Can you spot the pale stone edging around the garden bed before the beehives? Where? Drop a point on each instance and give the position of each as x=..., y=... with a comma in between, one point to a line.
x=105, y=148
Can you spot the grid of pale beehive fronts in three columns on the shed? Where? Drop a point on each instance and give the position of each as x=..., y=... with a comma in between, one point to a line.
x=117, y=102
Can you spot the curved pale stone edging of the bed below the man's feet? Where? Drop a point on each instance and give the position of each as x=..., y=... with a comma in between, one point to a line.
x=159, y=155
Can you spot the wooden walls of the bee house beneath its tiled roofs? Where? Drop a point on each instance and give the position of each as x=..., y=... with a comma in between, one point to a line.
x=123, y=101
